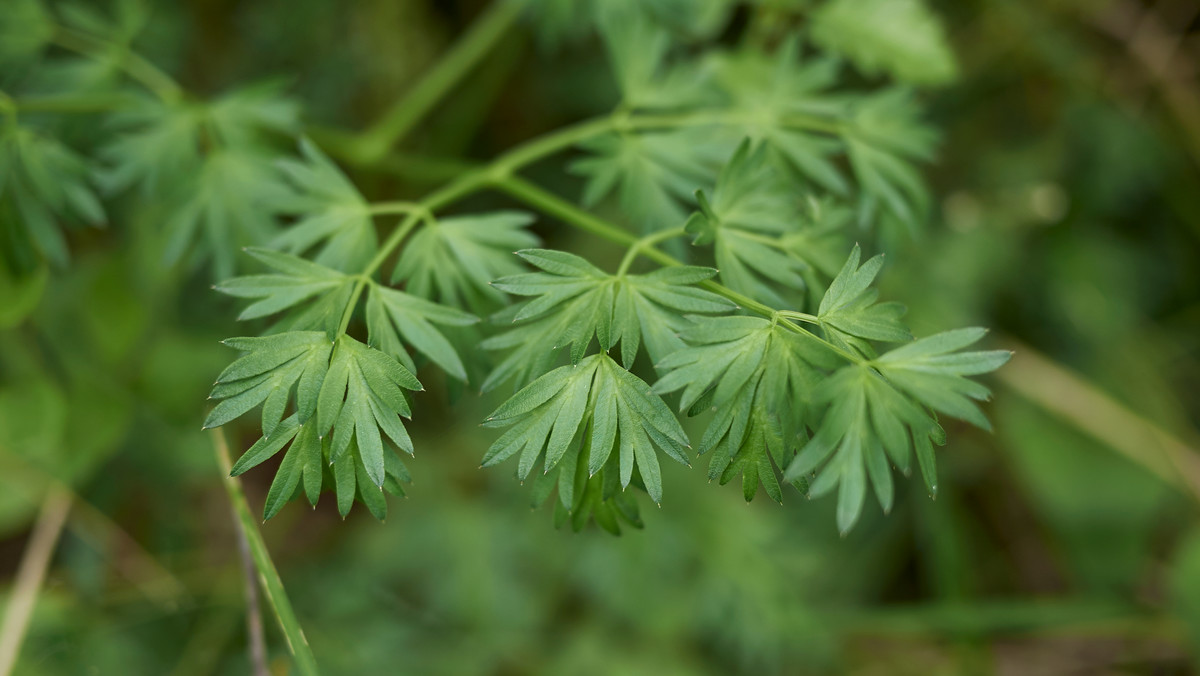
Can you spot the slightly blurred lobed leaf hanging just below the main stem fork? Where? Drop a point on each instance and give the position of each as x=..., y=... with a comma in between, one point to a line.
x=454, y=261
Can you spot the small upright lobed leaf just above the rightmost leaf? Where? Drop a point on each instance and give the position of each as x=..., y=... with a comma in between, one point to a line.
x=849, y=309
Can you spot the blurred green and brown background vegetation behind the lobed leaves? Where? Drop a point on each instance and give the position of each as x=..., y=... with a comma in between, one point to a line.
x=1067, y=542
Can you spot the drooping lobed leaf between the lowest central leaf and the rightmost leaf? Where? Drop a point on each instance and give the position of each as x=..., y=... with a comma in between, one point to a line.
x=758, y=376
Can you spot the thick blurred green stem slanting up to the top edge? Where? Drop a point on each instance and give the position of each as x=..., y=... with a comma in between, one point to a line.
x=465, y=56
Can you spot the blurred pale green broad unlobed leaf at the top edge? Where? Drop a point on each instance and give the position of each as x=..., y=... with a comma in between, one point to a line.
x=902, y=38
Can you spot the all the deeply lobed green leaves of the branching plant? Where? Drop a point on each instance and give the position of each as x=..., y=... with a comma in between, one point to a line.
x=749, y=140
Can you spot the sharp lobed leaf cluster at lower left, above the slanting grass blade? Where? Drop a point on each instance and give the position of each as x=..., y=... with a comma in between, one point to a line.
x=345, y=387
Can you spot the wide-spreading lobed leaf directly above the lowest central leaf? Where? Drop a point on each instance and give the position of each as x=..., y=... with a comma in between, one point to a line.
x=573, y=301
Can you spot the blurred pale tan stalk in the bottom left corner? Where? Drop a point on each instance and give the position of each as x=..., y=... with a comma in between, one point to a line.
x=31, y=576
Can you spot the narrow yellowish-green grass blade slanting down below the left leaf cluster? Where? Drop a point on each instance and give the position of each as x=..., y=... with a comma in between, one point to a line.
x=269, y=578
